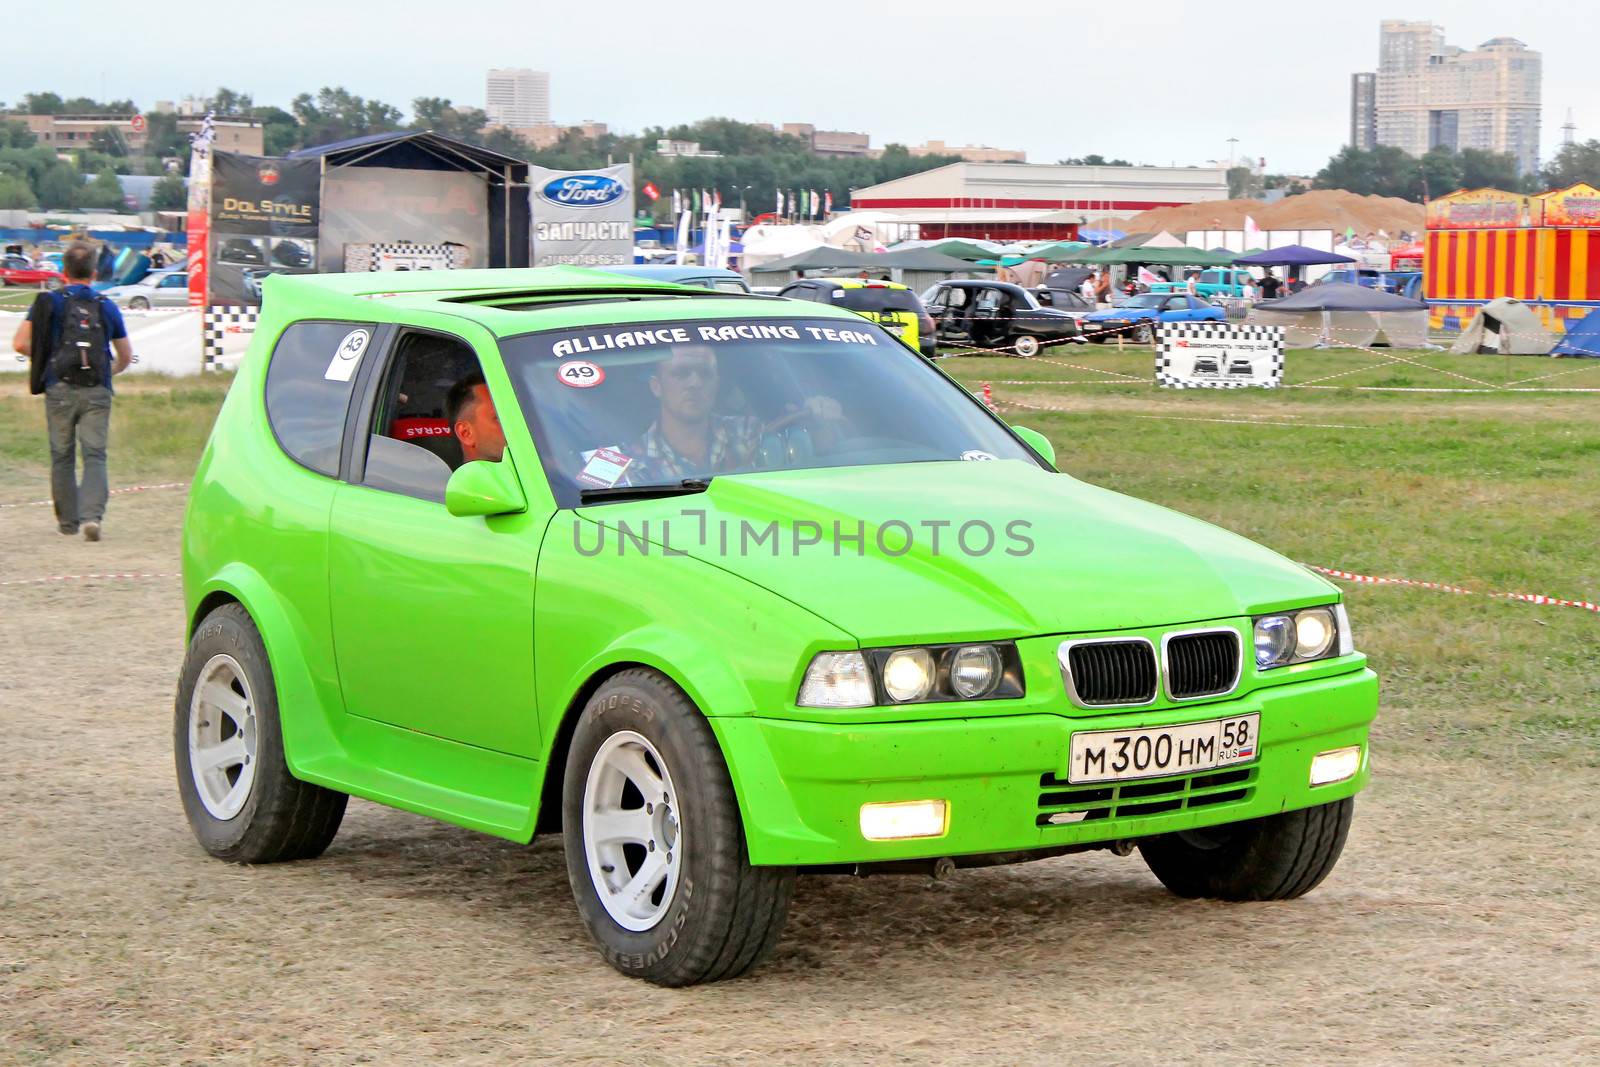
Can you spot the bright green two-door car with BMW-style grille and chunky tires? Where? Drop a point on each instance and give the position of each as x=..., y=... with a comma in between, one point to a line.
x=722, y=589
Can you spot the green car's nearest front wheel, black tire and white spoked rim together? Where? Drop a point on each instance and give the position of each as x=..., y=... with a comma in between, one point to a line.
x=655, y=844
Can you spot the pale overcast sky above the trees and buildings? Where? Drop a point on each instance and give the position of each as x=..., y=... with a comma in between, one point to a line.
x=1148, y=81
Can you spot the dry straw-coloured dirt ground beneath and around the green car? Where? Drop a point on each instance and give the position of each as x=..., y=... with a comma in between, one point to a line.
x=1462, y=927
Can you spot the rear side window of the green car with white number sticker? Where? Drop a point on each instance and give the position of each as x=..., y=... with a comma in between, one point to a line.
x=310, y=385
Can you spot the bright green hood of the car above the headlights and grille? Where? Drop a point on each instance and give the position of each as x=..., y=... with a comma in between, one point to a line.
x=1066, y=557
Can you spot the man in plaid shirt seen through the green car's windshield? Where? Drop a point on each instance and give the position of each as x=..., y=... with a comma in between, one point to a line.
x=687, y=441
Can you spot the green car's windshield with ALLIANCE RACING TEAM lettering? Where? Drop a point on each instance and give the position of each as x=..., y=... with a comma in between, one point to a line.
x=662, y=404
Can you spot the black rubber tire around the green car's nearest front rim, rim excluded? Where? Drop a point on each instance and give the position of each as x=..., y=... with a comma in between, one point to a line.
x=726, y=916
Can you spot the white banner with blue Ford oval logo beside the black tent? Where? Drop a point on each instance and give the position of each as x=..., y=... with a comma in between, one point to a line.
x=583, y=218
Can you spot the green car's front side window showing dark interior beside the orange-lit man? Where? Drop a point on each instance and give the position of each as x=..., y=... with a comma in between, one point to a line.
x=414, y=446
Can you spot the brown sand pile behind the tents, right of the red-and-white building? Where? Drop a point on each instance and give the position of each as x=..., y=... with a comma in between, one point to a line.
x=1318, y=210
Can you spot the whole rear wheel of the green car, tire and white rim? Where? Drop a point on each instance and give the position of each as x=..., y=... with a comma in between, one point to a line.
x=236, y=786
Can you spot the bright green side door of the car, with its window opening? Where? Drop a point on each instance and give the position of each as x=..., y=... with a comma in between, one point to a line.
x=433, y=613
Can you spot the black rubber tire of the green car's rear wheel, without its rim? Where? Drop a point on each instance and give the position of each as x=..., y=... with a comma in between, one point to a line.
x=282, y=818
